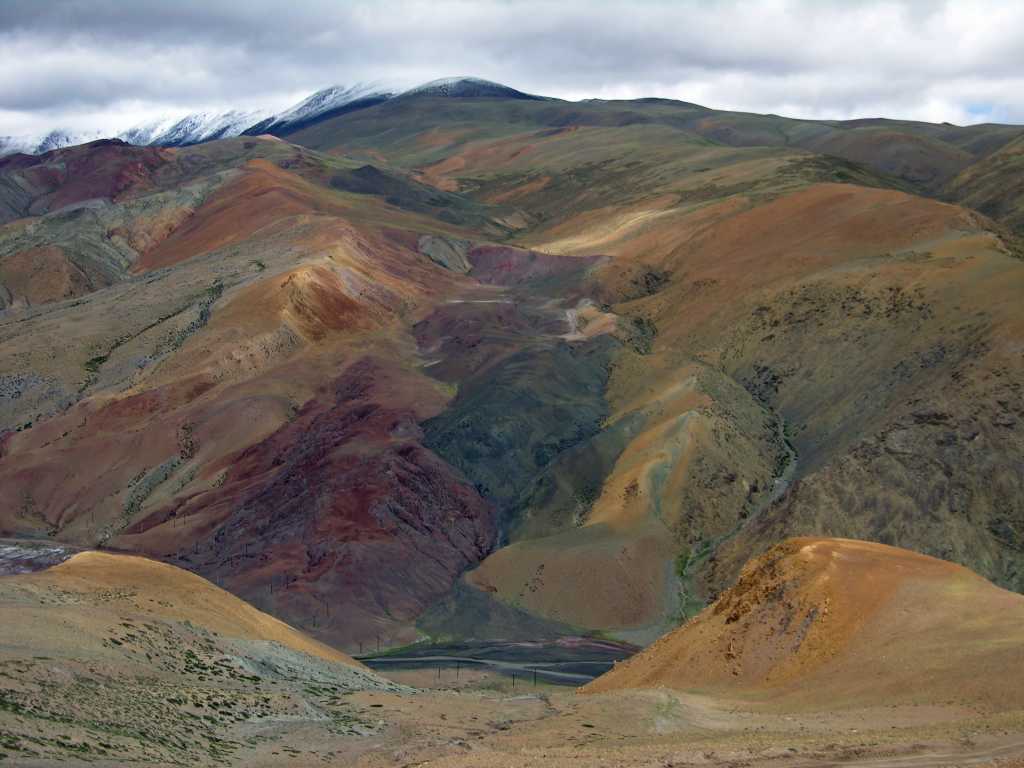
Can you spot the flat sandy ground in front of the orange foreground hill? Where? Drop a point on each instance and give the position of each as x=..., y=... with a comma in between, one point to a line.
x=481, y=727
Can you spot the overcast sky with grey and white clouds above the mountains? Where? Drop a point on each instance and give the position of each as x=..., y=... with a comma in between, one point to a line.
x=107, y=65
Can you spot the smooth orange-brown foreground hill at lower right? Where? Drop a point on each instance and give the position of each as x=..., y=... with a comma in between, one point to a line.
x=839, y=622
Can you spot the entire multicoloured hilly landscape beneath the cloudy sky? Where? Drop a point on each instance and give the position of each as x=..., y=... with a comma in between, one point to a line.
x=344, y=430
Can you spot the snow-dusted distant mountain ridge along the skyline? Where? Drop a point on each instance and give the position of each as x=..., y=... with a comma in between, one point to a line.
x=207, y=126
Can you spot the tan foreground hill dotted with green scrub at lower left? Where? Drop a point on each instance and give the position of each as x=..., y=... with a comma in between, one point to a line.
x=120, y=659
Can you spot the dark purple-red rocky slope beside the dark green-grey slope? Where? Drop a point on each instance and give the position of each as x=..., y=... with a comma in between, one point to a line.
x=339, y=522
